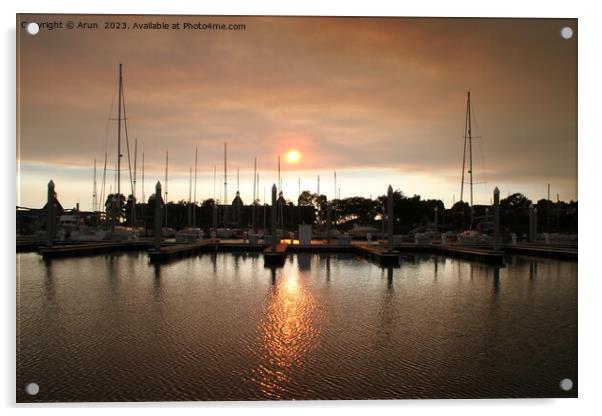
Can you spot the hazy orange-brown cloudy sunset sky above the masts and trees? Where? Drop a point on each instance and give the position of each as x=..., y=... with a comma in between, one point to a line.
x=380, y=100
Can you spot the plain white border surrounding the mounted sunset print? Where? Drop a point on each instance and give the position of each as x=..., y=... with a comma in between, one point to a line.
x=590, y=282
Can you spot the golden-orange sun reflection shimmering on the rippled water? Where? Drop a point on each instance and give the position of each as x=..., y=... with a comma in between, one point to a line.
x=288, y=332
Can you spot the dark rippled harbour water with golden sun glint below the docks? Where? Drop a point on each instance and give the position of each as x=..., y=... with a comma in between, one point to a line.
x=223, y=327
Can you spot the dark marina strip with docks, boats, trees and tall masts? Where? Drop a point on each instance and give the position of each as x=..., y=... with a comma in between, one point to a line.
x=386, y=226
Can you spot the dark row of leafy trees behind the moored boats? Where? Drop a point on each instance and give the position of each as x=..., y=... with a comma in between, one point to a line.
x=411, y=213
